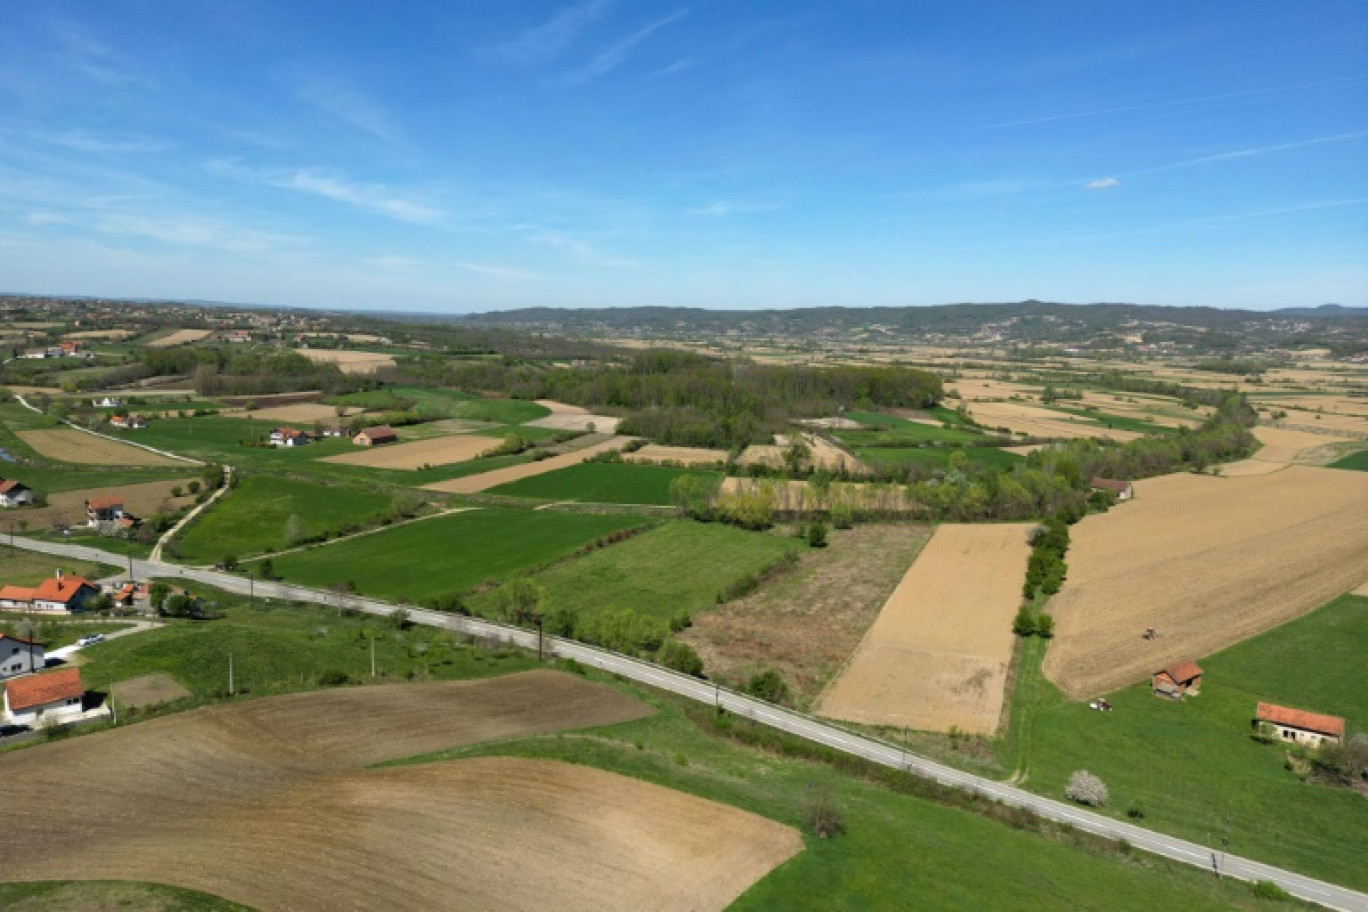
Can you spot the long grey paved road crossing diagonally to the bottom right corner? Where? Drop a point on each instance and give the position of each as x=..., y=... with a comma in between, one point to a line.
x=789, y=721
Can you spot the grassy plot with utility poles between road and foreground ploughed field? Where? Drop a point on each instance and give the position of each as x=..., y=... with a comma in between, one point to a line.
x=280, y=649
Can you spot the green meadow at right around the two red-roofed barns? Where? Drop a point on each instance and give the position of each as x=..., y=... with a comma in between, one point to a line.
x=1192, y=766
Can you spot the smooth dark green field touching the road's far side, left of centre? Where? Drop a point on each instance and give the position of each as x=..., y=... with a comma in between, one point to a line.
x=451, y=554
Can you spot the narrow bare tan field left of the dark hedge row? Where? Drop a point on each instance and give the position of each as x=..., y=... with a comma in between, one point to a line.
x=939, y=652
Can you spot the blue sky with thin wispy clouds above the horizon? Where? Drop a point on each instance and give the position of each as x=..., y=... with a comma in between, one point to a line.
x=459, y=157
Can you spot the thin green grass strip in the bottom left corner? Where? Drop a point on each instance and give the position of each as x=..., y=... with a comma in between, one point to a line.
x=84, y=896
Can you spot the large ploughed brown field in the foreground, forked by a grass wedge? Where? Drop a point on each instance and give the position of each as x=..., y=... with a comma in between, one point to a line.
x=267, y=803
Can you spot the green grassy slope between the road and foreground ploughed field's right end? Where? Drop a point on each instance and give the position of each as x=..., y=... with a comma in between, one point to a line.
x=899, y=853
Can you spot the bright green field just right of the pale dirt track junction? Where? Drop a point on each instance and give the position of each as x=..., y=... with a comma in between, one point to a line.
x=256, y=516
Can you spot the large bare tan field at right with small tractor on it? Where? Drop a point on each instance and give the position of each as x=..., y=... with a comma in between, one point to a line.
x=1209, y=563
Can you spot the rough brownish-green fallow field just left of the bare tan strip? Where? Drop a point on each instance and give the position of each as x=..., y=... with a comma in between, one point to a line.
x=808, y=623
